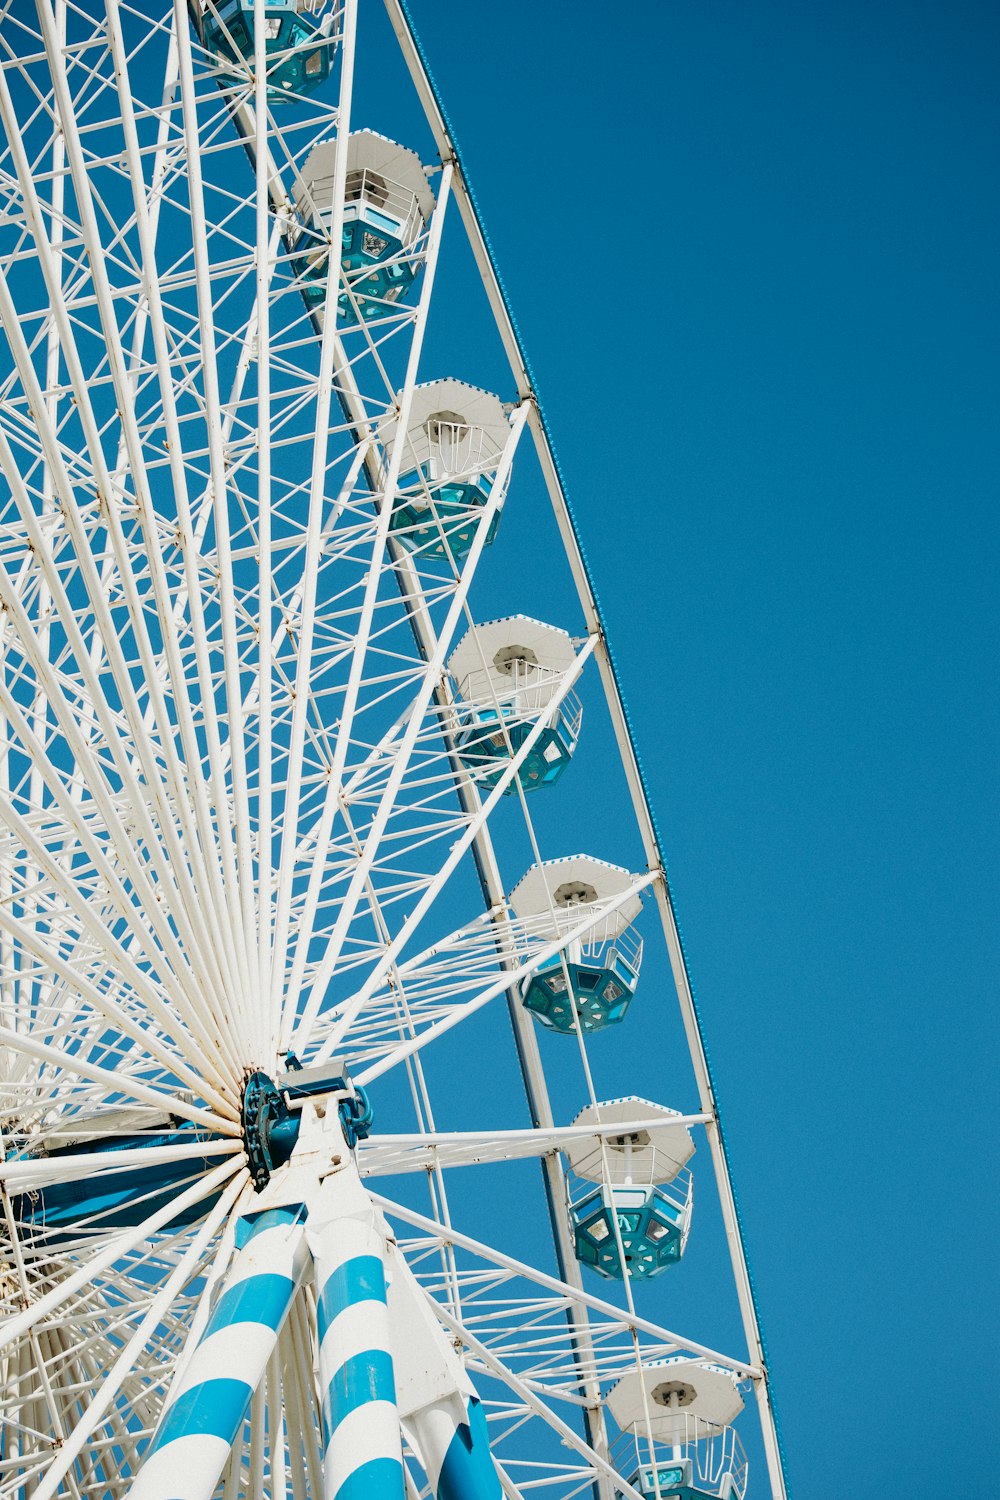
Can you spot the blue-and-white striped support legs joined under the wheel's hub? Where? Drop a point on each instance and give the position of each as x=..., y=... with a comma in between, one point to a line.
x=376, y=1330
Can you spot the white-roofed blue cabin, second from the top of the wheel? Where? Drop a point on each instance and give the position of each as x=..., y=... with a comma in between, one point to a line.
x=386, y=211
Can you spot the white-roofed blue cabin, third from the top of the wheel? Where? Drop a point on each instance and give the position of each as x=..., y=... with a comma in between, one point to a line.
x=452, y=451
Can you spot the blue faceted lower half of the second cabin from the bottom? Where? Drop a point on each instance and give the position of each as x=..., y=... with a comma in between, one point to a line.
x=650, y=1228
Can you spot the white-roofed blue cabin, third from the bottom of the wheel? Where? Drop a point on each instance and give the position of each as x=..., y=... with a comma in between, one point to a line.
x=593, y=982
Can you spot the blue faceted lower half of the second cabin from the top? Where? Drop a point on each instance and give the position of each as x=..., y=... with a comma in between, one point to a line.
x=371, y=257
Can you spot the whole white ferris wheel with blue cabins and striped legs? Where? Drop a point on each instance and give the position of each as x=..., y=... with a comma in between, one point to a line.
x=293, y=983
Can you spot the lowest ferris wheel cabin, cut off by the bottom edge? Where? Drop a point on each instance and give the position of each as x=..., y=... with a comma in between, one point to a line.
x=677, y=1438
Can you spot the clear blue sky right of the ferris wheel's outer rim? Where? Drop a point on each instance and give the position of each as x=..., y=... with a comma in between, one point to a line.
x=753, y=251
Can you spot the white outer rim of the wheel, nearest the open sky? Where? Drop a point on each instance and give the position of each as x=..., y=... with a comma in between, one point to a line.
x=448, y=148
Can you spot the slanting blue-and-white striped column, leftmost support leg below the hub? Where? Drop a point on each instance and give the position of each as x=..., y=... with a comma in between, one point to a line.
x=209, y=1405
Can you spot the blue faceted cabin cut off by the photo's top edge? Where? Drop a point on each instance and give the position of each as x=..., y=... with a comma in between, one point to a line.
x=299, y=55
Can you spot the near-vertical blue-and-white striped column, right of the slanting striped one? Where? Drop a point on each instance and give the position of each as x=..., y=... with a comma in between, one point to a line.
x=361, y=1424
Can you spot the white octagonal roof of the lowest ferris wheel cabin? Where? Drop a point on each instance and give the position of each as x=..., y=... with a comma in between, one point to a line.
x=669, y=1390
